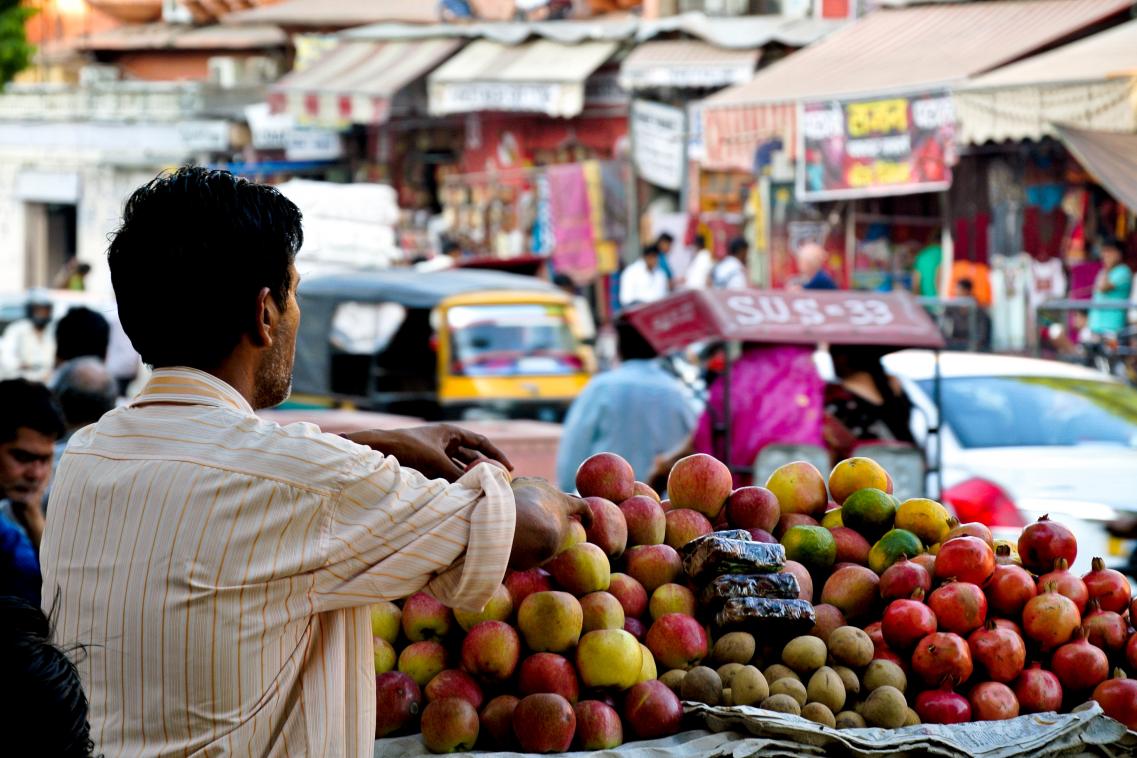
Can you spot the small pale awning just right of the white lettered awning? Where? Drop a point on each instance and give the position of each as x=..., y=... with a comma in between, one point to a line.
x=686, y=64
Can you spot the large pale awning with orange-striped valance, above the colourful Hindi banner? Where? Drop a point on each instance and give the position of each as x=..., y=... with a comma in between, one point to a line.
x=891, y=52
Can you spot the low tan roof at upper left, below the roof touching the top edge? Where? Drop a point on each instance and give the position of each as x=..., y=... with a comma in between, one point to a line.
x=181, y=37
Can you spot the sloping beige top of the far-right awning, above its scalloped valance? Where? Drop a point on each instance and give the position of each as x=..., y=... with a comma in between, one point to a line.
x=1106, y=55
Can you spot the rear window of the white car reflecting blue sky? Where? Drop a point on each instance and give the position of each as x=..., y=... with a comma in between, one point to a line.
x=1012, y=412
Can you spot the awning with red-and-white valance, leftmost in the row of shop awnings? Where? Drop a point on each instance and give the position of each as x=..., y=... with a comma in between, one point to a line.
x=355, y=82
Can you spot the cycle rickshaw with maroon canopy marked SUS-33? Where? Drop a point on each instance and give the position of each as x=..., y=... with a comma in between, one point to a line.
x=889, y=321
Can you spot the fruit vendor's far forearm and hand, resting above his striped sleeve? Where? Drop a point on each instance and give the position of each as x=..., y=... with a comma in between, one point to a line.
x=436, y=451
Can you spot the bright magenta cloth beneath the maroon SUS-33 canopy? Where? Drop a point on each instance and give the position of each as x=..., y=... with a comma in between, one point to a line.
x=776, y=398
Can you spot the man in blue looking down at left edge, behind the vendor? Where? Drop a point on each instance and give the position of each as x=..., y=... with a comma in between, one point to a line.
x=30, y=424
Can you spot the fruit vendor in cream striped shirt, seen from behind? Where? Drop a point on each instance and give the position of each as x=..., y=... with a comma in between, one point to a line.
x=220, y=567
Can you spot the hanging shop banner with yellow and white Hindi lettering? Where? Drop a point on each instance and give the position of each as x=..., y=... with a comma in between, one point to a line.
x=878, y=147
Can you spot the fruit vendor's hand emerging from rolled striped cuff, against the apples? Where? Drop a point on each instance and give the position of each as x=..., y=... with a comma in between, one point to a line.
x=544, y=513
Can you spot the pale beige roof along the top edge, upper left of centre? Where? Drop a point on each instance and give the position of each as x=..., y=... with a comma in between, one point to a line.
x=343, y=14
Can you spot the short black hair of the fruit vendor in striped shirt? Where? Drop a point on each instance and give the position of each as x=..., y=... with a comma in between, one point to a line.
x=195, y=248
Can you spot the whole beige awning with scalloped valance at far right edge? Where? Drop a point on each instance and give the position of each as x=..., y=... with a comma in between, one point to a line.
x=1091, y=85
